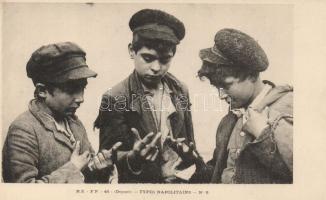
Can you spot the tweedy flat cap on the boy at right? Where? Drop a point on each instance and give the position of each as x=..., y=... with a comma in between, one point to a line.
x=235, y=48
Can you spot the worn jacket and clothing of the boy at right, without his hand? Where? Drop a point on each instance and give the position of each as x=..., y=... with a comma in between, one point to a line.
x=266, y=159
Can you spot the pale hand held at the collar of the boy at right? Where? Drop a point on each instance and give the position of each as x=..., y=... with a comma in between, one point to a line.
x=256, y=122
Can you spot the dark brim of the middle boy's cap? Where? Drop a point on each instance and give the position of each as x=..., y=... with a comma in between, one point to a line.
x=158, y=35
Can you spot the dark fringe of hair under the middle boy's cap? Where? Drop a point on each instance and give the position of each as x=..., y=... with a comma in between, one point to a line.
x=160, y=46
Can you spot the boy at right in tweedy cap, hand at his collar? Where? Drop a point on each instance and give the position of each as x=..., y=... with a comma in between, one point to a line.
x=254, y=140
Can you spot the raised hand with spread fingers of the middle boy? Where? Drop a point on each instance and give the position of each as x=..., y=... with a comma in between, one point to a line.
x=144, y=150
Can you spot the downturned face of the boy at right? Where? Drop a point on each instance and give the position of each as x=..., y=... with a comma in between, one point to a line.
x=236, y=93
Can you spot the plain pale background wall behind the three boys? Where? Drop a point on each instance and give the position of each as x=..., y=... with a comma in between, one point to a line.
x=102, y=31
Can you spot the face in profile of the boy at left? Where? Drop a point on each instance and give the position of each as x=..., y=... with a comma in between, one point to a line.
x=66, y=99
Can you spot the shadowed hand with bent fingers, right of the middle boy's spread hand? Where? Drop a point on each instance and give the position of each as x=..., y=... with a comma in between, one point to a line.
x=186, y=152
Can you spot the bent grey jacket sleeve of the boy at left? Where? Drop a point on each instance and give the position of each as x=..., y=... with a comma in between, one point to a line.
x=20, y=161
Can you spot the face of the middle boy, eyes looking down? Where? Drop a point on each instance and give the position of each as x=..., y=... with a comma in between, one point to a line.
x=150, y=65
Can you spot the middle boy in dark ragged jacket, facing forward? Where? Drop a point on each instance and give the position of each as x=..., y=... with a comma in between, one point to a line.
x=149, y=111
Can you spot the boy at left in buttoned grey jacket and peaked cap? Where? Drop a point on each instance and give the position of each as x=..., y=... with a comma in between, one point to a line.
x=48, y=143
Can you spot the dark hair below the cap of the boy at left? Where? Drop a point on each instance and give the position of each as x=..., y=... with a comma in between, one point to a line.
x=68, y=87
